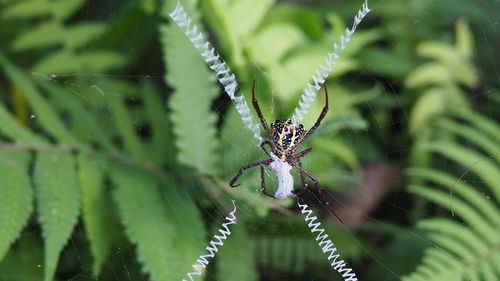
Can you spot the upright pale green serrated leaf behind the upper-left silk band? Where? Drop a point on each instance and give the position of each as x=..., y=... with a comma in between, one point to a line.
x=194, y=125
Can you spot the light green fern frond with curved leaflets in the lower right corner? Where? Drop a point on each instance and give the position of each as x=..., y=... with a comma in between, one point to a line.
x=469, y=250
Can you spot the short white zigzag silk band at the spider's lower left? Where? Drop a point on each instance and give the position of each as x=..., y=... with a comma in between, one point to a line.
x=213, y=247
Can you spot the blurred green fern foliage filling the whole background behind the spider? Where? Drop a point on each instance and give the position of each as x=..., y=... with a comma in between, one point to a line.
x=117, y=143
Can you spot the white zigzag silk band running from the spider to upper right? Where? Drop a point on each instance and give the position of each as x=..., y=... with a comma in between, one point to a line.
x=311, y=90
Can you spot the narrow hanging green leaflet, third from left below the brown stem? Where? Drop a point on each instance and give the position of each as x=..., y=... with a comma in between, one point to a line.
x=95, y=204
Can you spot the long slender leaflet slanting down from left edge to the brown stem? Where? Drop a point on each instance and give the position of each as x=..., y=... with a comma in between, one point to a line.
x=43, y=111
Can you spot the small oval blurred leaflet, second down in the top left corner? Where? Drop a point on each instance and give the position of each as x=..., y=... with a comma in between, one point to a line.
x=43, y=36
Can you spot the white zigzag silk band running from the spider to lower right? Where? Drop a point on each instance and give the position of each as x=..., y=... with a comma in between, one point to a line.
x=326, y=244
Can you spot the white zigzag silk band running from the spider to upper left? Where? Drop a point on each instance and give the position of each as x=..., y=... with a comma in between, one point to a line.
x=226, y=78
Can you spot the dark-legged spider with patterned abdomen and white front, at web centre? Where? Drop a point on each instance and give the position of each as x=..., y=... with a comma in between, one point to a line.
x=284, y=139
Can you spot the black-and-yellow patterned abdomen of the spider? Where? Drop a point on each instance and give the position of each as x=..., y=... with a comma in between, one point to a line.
x=286, y=134
